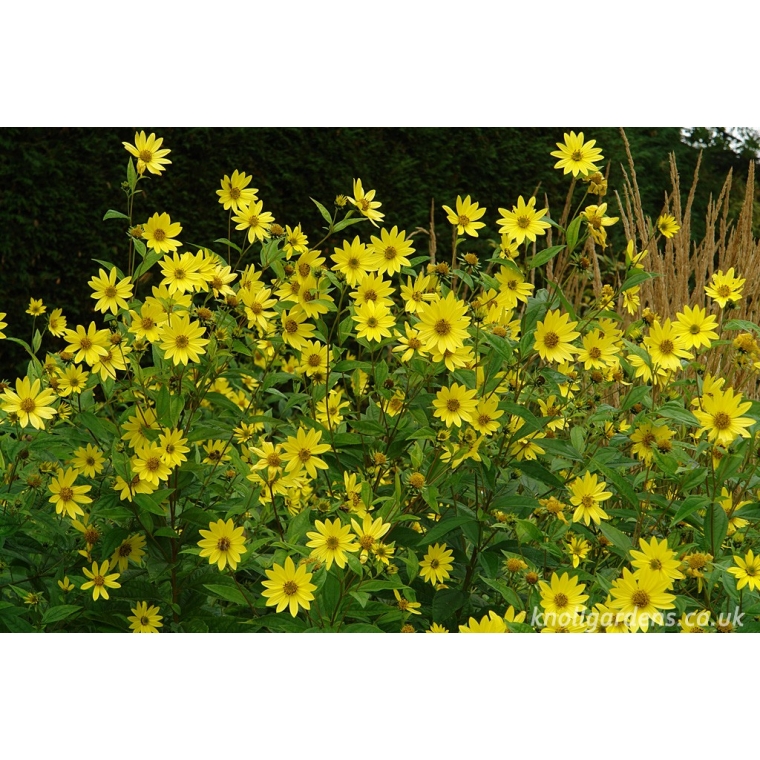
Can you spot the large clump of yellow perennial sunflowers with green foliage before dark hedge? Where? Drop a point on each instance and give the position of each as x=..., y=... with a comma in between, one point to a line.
x=259, y=433
